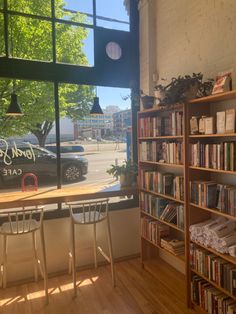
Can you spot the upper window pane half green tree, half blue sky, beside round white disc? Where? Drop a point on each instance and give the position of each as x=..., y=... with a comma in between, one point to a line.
x=74, y=45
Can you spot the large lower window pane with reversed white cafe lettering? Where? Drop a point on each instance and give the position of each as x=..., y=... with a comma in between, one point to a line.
x=26, y=136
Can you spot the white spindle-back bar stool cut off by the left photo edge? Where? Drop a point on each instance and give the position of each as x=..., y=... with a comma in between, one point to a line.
x=18, y=223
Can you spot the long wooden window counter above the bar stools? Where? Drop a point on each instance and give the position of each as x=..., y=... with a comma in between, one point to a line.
x=65, y=194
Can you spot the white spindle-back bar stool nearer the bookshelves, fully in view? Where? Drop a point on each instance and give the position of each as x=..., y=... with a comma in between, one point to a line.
x=90, y=213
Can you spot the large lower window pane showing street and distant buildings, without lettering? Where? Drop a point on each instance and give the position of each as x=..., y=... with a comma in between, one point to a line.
x=94, y=139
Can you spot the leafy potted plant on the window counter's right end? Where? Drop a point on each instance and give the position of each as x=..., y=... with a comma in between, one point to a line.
x=127, y=172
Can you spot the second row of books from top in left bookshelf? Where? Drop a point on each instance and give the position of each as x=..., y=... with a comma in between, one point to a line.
x=166, y=152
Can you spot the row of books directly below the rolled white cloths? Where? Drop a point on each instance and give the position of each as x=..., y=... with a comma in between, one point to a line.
x=214, y=268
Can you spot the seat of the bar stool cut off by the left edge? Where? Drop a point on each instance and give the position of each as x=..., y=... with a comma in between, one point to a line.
x=15, y=228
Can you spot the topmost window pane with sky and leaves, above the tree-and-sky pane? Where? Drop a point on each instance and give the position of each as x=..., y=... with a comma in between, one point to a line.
x=75, y=10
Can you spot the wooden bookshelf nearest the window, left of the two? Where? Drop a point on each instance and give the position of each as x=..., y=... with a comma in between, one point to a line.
x=150, y=250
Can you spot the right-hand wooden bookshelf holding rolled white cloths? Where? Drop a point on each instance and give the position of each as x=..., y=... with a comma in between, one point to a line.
x=207, y=106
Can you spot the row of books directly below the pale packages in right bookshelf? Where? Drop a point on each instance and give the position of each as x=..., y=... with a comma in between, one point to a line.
x=220, y=156
